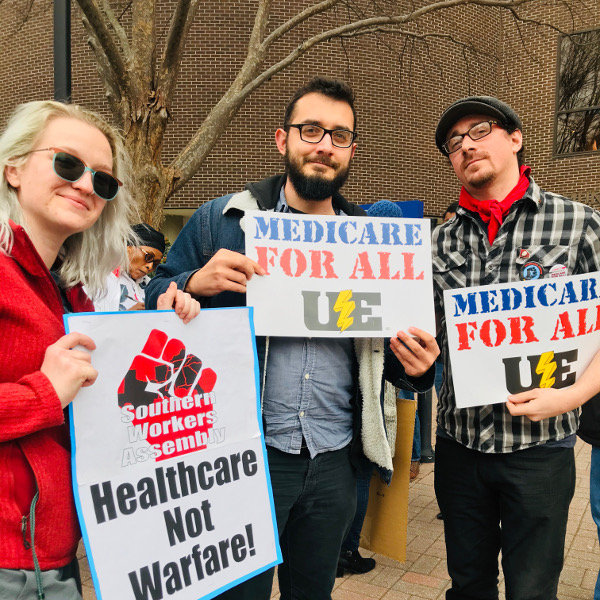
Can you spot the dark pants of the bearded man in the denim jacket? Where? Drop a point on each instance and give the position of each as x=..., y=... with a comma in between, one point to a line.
x=315, y=502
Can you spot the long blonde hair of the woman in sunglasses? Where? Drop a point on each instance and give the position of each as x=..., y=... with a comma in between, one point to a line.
x=87, y=257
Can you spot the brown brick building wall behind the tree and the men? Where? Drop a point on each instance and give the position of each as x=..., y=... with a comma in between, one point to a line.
x=402, y=87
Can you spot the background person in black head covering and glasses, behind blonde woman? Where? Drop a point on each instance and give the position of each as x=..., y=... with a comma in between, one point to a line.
x=124, y=288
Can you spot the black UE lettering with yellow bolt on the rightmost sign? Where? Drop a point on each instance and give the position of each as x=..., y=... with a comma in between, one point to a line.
x=549, y=369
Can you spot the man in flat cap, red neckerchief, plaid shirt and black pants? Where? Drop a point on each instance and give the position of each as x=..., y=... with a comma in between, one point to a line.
x=503, y=483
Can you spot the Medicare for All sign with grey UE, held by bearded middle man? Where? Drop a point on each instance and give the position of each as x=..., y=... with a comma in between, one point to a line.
x=337, y=276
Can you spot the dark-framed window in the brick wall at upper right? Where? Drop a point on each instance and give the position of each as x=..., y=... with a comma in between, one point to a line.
x=578, y=101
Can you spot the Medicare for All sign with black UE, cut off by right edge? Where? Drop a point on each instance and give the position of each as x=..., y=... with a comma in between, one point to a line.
x=512, y=337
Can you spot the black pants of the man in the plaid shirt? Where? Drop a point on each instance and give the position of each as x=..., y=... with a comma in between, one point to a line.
x=516, y=503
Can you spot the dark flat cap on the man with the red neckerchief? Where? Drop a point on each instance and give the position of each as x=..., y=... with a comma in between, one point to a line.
x=475, y=105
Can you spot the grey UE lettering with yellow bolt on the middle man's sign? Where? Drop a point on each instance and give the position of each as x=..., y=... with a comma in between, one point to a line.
x=341, y=311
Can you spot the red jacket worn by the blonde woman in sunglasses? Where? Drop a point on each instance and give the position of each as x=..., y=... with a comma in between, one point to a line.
x=34, y=440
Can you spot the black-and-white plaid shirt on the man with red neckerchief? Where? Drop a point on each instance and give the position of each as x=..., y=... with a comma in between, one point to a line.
x=542, y=227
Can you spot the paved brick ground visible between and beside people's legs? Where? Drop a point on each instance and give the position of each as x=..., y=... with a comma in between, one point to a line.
x=424, y=577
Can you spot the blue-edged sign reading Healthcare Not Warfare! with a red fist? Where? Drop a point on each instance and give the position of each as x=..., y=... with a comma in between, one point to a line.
x=169, y=462
